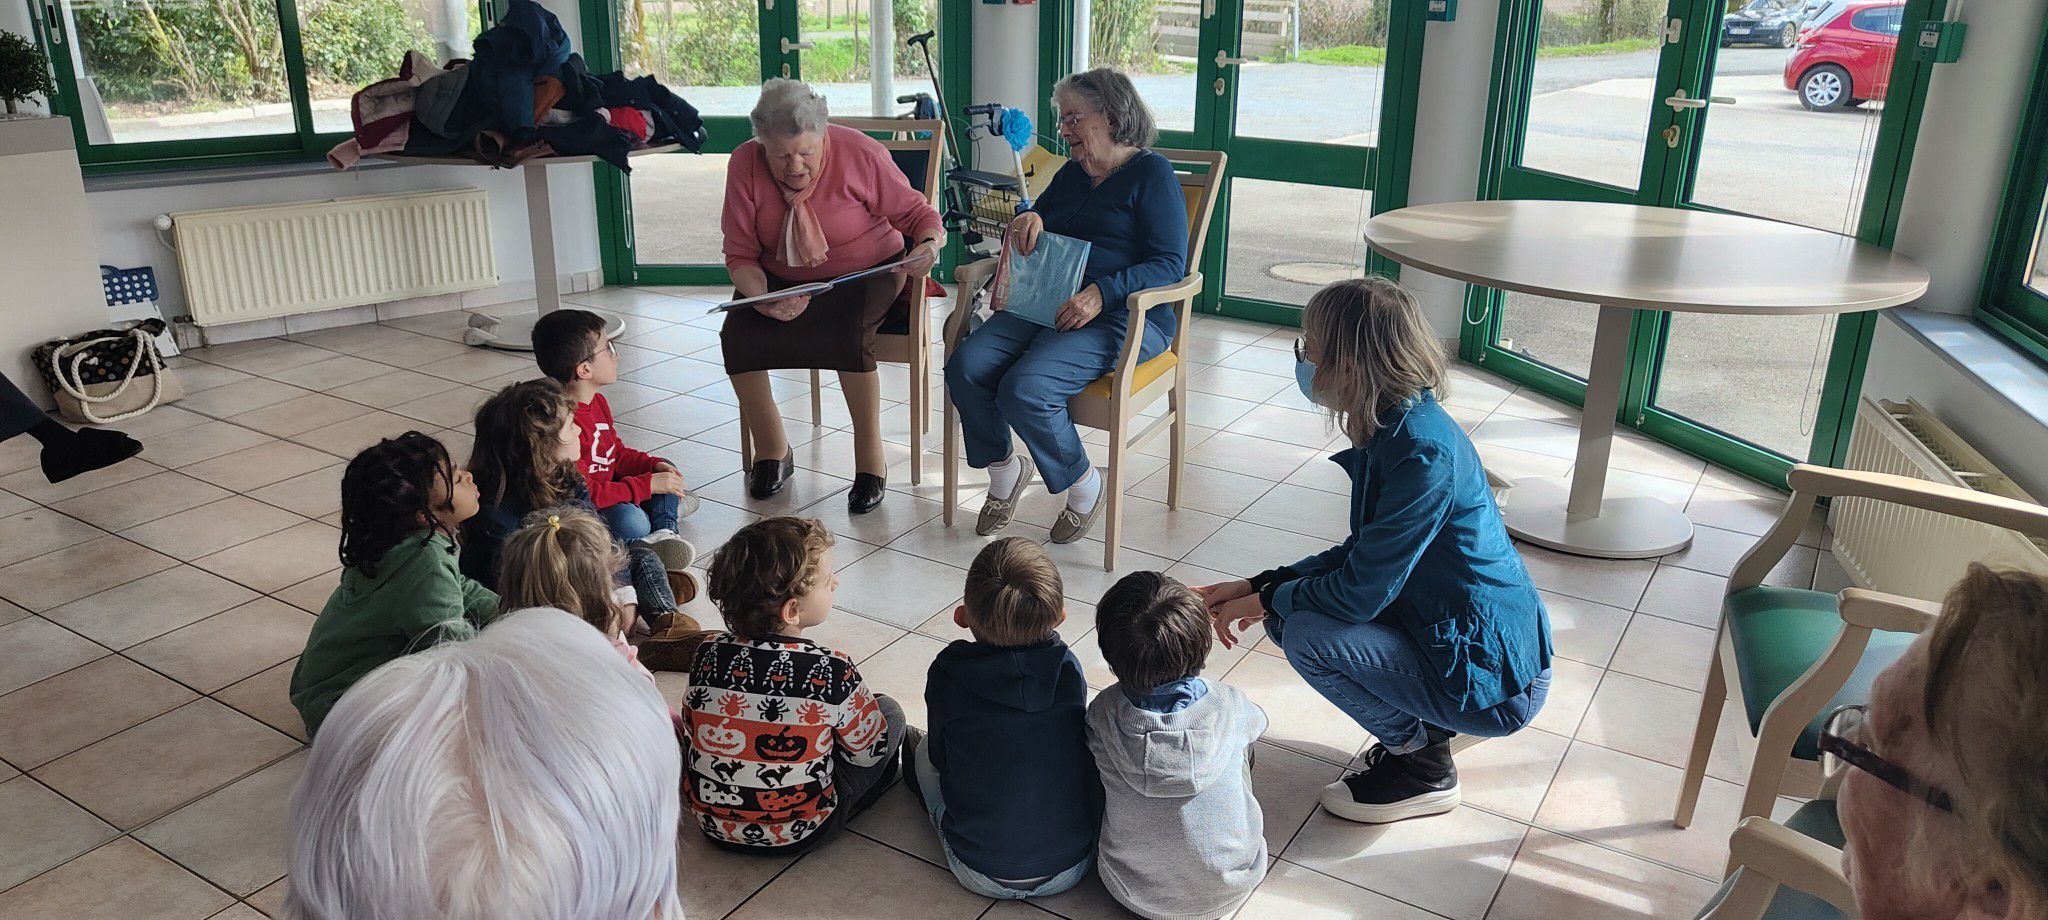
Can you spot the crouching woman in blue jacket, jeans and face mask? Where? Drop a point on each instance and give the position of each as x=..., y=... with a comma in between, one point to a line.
x=1422, y=624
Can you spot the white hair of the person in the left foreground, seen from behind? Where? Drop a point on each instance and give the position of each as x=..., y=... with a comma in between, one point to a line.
x=527, y=773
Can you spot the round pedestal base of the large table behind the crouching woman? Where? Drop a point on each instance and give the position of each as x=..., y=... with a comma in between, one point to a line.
x=1629, y=528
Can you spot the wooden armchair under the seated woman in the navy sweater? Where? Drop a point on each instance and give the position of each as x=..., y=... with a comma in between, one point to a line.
x=1115, y=401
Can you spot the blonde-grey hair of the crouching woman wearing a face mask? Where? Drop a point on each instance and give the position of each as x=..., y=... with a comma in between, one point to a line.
x=1373, y=351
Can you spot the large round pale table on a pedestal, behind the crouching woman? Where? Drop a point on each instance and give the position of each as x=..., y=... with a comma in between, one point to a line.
x=1625, y=259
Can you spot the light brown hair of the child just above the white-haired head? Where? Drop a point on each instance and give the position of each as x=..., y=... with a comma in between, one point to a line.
x=562, y=558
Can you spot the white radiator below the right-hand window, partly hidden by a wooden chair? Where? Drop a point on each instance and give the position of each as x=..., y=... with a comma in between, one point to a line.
x=1918, y=552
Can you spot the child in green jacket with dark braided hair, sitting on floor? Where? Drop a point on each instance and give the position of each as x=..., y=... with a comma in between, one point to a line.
x=400, y=587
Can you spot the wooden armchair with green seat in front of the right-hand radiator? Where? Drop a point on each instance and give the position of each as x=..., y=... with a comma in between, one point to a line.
x=1797, y=655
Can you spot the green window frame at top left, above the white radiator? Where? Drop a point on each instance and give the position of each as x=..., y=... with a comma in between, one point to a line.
x=302, y=144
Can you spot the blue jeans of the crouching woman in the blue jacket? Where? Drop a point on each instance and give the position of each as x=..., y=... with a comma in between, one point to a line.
x=1379, y=677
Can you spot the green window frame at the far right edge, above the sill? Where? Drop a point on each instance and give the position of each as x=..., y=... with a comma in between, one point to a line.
x=2008, y=304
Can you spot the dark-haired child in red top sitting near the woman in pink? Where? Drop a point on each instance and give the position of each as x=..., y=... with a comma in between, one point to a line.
x=638, y=495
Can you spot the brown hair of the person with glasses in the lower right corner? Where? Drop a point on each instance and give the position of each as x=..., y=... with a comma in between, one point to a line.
x=1986, y=708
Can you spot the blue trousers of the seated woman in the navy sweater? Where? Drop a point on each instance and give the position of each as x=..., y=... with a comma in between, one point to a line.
x=1019, y=376
